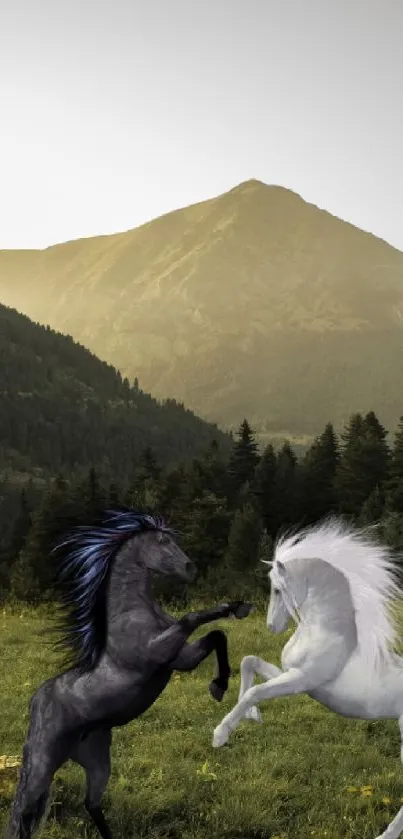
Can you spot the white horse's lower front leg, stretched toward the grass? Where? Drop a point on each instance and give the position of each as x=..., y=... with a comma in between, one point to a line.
x=293, y=681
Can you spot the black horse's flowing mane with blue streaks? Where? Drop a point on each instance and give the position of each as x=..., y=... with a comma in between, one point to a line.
x=84, y=558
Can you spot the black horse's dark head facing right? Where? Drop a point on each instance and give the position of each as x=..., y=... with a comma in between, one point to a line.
x=161, y=554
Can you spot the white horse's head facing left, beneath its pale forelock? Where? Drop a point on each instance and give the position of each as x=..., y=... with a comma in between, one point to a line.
x=288, y=592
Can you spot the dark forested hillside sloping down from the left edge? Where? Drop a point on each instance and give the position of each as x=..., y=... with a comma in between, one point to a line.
x=63, y=410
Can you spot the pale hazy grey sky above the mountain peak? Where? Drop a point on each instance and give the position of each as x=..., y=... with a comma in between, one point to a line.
x=113, y=112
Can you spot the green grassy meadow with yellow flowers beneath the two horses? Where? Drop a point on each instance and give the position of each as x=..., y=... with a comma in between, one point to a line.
x=305, y=773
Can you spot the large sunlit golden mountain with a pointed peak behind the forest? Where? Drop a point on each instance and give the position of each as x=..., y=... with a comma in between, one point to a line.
x=254, y=303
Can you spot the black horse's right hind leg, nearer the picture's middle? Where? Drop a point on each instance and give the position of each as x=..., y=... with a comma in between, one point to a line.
x=92, y=752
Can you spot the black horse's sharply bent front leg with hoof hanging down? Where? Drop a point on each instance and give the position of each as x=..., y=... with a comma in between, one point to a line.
x=193, y=654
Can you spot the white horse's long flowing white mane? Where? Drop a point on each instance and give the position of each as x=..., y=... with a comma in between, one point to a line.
x=370, y=570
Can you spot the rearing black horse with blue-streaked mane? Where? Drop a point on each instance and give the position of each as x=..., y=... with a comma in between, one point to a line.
x=123, y=648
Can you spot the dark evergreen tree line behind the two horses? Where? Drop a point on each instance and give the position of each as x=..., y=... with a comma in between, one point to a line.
x=228, y=509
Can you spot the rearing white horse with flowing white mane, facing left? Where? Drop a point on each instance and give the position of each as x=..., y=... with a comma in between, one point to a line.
x=339, y=585
